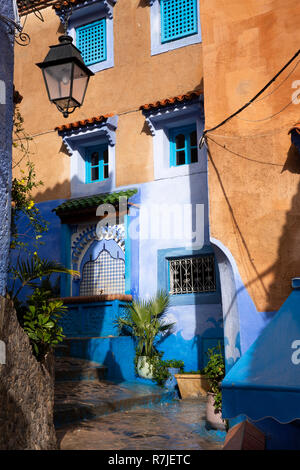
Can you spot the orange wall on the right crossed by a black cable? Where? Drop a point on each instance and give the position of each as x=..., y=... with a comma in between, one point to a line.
x=254, y=185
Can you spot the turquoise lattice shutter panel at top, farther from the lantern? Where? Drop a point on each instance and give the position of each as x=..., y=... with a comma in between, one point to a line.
x=179, y=18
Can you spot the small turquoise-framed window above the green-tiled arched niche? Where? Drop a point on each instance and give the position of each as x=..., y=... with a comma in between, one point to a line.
x=97, y=165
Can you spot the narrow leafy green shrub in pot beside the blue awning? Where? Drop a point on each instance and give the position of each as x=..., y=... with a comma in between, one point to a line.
x=215, y=373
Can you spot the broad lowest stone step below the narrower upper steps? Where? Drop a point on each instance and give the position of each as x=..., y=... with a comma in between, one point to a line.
x=75, y=401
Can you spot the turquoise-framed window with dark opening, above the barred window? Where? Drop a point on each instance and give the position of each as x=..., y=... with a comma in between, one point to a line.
x=183, y=145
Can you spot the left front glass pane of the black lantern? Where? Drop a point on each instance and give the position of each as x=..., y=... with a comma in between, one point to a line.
x=58, y=79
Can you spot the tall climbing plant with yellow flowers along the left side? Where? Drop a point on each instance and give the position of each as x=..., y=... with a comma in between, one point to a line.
x=40, y=315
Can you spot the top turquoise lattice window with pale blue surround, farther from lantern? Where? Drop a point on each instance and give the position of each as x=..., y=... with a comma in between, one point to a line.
x=174, y=24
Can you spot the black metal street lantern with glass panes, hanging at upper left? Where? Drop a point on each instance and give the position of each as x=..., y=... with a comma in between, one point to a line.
x=66, y=76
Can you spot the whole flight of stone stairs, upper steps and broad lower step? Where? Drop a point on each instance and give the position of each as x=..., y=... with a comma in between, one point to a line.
x=81, y=392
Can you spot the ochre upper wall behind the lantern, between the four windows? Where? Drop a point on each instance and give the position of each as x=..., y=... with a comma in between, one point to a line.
x=136, y=79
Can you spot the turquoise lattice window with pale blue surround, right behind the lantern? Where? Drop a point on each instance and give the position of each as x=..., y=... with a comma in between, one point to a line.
x=91, y=27
